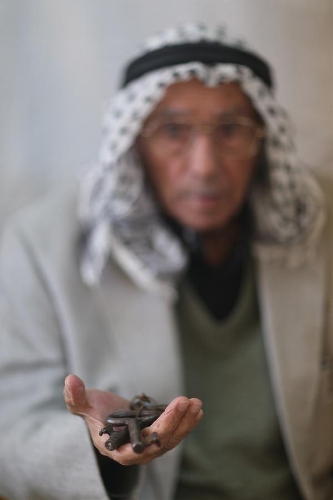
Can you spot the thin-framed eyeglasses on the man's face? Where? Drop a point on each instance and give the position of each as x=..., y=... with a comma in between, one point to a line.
x=233, y=137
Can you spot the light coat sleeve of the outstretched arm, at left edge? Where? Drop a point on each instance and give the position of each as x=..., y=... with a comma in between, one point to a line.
x=45, y=452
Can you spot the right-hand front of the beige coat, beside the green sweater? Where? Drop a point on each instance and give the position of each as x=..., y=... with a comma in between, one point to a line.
x=292, y=308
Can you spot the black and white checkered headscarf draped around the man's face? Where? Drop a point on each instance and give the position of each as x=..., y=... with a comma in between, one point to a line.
x=117, y=211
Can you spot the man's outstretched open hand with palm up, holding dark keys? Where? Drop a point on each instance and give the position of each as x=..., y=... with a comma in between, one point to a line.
x=179, y=418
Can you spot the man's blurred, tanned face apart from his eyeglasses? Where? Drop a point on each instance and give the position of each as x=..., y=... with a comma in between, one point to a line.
x=199, y=187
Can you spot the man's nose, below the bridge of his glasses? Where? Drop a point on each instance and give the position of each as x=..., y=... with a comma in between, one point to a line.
x=202, y=157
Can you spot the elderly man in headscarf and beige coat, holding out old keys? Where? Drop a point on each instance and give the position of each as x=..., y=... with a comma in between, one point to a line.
x=187, y=271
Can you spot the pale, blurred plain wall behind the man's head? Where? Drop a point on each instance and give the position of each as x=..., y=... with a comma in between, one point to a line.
x=60, y=61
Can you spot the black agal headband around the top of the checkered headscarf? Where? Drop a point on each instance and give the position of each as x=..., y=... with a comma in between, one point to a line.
x=205, y=52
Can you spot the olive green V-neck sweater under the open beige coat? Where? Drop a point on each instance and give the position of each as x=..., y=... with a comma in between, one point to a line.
x=236, y=452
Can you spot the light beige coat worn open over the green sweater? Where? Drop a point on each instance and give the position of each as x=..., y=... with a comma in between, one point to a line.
x=124, y=339
